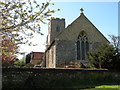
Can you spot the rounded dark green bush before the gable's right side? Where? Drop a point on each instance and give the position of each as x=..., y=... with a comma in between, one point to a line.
x=102, y=57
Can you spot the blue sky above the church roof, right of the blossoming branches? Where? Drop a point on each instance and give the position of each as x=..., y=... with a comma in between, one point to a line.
x=104, y=15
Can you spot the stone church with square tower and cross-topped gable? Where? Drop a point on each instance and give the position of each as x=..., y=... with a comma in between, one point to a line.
x=71, y=43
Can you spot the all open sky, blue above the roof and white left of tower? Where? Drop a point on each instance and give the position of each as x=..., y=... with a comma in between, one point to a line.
x=104, y=15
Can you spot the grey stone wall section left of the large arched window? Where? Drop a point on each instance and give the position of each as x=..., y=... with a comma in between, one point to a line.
x=65, y=52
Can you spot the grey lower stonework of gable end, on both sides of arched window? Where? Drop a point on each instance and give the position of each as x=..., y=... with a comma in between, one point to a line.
x=66, y=51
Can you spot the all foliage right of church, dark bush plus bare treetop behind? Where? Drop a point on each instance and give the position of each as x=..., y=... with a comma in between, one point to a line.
x=107, y=55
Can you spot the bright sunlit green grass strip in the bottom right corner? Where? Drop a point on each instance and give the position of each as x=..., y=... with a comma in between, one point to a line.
x=105, y=87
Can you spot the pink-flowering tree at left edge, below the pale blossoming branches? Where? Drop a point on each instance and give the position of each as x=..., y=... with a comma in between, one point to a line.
x=9, y=49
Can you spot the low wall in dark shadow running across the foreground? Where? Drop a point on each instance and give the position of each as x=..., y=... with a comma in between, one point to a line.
x=57, y=78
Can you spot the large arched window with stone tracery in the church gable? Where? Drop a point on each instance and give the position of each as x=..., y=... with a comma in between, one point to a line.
x=82, y=46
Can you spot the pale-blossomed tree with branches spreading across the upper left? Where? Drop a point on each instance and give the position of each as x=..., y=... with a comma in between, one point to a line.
x=20, y=19
